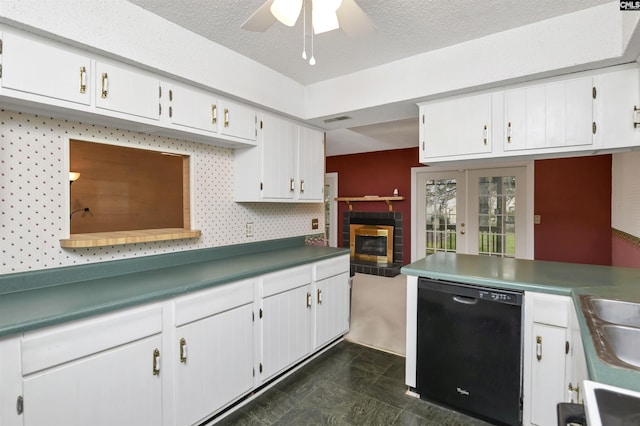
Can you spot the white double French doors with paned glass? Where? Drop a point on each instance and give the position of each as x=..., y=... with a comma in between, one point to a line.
x=476, y=211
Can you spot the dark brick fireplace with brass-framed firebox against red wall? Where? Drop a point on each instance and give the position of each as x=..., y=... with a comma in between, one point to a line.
x=381, y=230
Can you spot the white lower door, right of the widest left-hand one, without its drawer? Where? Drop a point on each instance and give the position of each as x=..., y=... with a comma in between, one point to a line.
x=214, y=359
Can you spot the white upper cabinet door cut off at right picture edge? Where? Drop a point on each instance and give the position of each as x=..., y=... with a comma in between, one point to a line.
x=617, y=95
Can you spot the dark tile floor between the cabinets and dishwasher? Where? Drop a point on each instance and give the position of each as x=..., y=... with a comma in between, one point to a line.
x=348, y=385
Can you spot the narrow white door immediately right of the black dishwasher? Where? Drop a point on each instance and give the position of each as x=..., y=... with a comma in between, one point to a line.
x=547, y=373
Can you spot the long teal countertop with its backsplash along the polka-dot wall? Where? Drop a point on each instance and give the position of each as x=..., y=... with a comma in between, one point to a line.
x=71, y=295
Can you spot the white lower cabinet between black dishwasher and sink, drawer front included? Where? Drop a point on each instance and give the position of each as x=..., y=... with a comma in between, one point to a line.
x=553, y=357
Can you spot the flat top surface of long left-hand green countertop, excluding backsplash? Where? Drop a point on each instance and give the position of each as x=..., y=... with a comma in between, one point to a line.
x=31, y=309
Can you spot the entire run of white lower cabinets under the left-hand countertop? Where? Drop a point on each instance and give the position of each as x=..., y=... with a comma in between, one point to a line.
x=176, y=362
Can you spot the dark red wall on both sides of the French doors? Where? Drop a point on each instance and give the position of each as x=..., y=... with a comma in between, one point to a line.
x=572, y=195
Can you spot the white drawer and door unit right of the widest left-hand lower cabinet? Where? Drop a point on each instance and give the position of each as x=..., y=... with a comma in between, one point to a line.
x=213, y=350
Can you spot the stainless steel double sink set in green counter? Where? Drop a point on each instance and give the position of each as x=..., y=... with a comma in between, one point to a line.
x=614, y=326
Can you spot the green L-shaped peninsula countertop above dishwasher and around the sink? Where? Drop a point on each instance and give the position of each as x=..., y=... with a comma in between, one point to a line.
x=568, y=279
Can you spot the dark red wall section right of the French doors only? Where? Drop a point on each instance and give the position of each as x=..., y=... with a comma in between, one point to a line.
x=573, y=197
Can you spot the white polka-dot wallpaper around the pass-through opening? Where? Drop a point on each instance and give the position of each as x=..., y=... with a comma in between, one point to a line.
x=34, y=185
